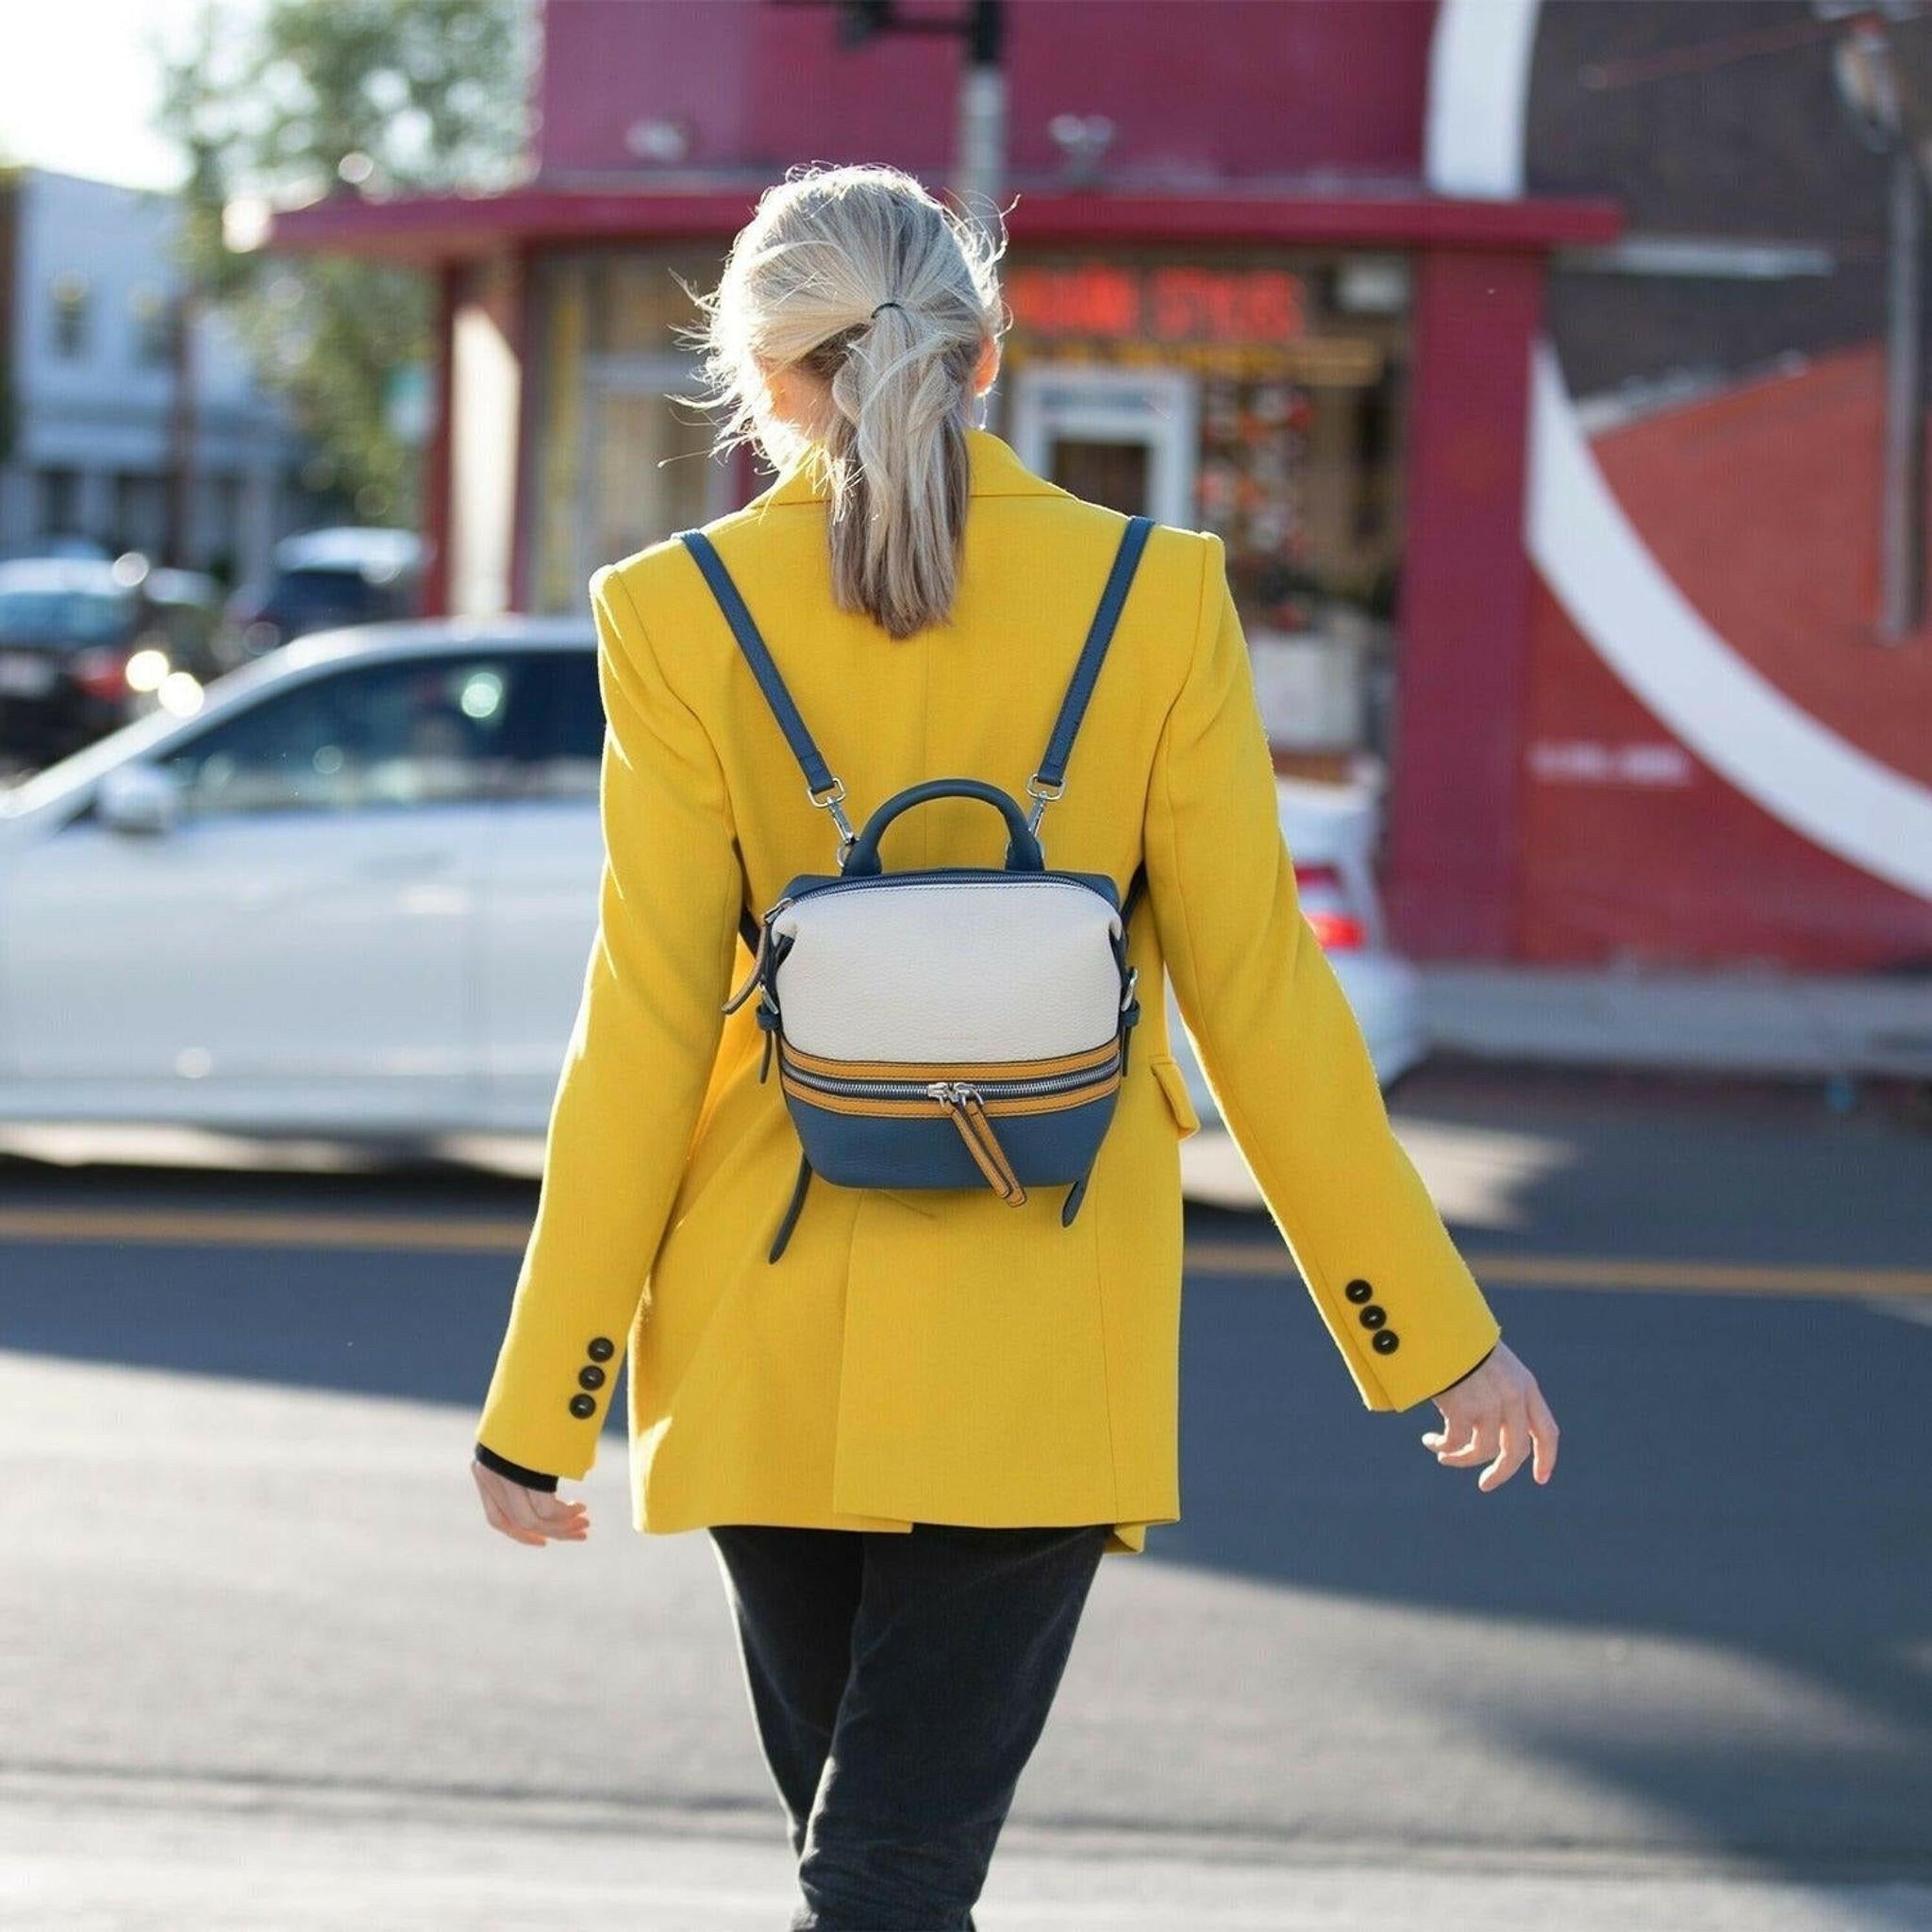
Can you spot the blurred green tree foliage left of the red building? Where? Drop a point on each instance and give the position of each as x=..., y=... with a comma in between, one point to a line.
x=308, y=99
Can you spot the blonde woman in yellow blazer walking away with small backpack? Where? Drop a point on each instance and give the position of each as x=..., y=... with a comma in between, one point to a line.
x=867, y=1143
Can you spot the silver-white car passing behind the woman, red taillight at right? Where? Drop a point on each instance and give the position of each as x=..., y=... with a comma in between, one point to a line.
x=355, y=894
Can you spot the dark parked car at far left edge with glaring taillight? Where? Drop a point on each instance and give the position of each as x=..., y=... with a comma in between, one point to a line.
x=88, y=644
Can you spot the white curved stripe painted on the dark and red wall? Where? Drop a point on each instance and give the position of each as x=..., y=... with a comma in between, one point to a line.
x=1601, y=569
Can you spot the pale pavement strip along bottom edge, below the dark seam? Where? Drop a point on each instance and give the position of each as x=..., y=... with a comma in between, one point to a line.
x=154, y=1863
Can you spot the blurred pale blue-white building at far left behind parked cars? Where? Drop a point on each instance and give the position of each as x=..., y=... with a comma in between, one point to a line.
x=109, y=412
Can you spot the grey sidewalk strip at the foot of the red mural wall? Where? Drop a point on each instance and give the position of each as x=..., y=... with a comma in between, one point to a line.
x=1757, y=1025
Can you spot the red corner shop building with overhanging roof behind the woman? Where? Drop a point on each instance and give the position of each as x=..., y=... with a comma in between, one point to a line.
x=1255, y=310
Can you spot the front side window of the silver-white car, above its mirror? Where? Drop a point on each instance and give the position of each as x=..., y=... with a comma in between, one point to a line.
x=409, y=733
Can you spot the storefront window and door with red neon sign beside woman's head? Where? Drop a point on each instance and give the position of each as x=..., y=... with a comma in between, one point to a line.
x=1249, y=393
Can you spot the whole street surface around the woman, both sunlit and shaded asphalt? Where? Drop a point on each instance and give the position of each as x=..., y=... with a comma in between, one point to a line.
x=266, y=1666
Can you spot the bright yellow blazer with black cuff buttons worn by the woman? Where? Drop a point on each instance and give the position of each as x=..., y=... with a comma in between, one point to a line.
x=938, y=1355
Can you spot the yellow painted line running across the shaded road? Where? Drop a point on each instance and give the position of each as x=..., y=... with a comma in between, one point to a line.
x=1261, y=1261
